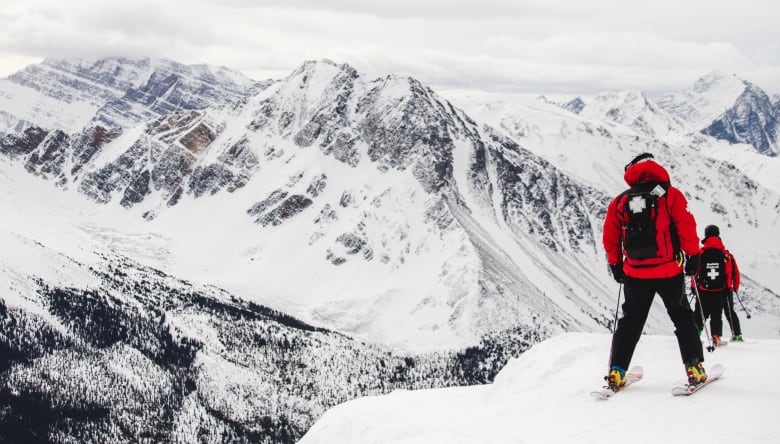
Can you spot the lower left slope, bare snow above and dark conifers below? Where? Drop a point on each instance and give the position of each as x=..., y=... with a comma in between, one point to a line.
x=97, y=347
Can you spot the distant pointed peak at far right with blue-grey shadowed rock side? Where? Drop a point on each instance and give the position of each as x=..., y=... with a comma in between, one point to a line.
x=728, y=108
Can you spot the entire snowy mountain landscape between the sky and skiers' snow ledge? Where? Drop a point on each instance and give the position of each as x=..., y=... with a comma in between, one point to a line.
x=231, y=258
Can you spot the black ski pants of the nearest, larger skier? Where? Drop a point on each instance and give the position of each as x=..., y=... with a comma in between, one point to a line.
x=639, y=294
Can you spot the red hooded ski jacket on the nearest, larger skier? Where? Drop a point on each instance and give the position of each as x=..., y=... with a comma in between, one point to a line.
x=672, y=214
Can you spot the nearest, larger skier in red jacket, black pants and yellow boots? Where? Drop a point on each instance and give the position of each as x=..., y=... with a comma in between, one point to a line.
x=646, y=231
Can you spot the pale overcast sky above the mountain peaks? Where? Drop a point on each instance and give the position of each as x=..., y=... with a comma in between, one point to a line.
x=524, y=46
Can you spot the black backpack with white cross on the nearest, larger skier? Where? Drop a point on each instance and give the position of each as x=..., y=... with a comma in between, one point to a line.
x=641, y=209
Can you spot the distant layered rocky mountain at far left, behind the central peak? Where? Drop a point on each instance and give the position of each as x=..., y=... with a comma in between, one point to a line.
x=68, y=94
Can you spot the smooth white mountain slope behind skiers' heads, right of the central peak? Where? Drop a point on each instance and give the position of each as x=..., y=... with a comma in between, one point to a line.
x=735, y=188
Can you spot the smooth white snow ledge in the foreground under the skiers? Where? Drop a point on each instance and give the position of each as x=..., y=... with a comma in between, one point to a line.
x=543, y=397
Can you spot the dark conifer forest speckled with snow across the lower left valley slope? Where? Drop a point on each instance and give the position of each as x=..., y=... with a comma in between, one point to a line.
x=148, y=358
